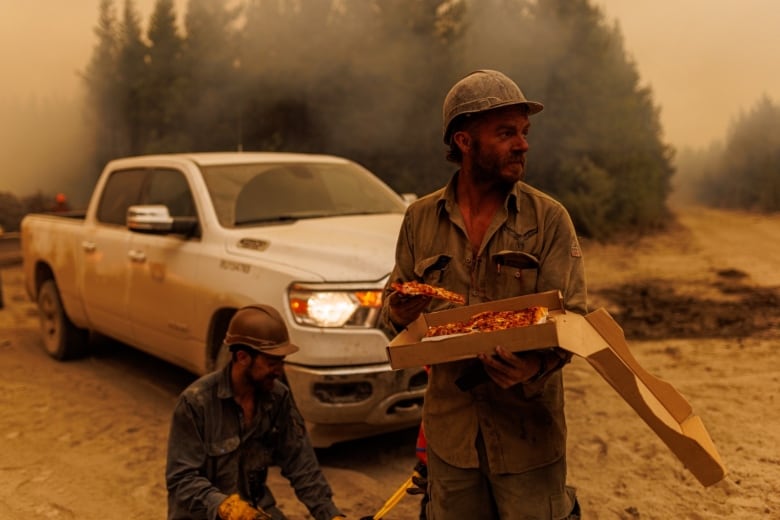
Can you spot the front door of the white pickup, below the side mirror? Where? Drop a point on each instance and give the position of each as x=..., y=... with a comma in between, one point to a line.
x=163, y=277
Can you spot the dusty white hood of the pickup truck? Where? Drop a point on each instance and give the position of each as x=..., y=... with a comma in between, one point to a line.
x=335, y=249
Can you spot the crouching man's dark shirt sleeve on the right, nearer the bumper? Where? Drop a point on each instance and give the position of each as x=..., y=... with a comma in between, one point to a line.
x=298, y=463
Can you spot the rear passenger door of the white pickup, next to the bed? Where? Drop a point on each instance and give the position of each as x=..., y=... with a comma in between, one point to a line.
x=106, y=261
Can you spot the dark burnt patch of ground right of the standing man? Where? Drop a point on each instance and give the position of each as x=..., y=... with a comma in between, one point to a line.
x=660, y=309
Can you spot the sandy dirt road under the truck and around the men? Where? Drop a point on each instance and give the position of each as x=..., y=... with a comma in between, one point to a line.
x=86, y=440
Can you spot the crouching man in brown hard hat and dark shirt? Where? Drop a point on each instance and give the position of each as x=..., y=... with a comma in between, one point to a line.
x=229, y=426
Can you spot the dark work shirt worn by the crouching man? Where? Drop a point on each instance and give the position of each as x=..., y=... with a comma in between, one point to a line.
x=211, y=455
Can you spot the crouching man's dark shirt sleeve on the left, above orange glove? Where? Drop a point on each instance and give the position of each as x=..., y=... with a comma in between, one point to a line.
x=188, y=489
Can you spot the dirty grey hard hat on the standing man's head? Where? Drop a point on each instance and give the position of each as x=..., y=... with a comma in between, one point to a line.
x=480, y=91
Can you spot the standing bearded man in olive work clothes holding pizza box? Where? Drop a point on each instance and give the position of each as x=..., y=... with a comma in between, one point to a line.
x=496, y=450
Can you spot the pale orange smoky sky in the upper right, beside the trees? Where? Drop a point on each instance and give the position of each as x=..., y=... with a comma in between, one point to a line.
x=707, y=61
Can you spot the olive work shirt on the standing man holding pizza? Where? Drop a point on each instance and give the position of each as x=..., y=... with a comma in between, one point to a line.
x=523, y=427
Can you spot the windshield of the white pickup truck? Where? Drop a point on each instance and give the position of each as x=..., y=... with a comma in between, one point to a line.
x=246, y=194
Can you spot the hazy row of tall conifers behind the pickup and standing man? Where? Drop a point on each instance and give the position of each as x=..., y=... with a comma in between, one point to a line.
x=366, y=79
